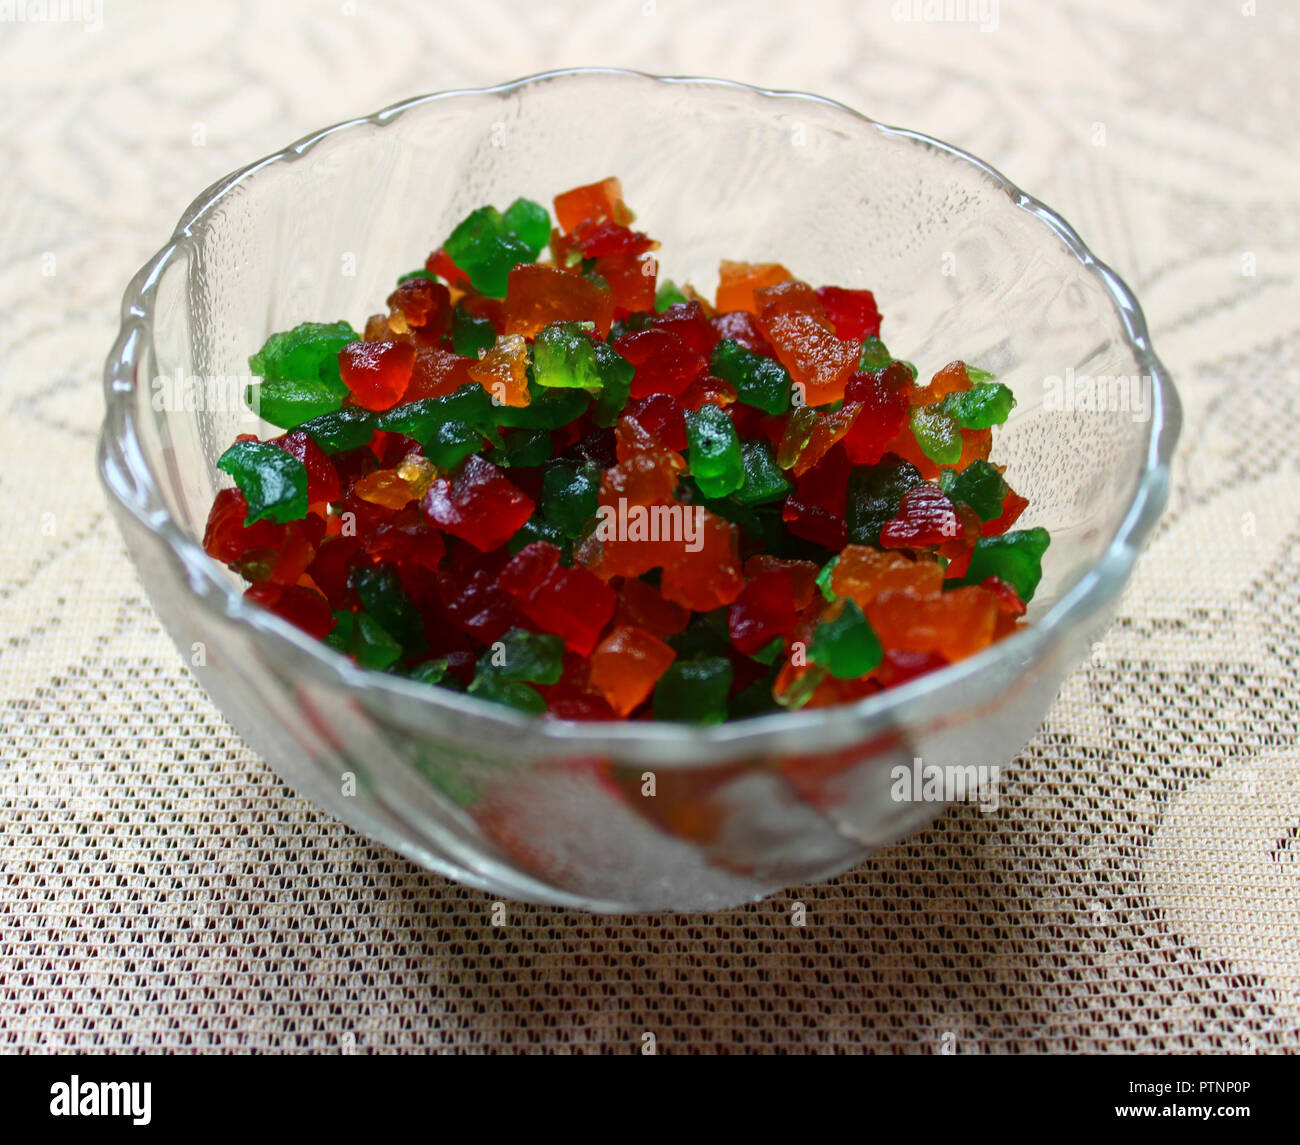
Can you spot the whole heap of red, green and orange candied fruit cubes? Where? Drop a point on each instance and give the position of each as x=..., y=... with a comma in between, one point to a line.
x=551, y=479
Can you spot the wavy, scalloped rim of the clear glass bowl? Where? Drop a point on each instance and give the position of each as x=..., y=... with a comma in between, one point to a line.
x=131, y=482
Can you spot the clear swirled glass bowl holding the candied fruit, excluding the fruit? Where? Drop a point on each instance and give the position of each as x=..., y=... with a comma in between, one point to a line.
x=964, y=266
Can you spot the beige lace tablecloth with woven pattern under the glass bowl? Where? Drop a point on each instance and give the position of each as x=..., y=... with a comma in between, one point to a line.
x=1139, y=888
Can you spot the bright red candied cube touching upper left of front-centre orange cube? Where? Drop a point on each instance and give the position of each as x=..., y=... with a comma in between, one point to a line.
x=569, y=602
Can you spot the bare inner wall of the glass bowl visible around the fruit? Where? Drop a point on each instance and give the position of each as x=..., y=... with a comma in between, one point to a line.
x=713, y=171
